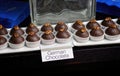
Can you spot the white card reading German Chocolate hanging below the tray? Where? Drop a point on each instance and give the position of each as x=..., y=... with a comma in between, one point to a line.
x=59, y=54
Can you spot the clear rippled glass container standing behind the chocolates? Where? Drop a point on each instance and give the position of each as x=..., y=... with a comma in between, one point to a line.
x=52, y=11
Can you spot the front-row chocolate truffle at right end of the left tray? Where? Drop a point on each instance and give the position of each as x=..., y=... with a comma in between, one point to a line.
x=63, y=34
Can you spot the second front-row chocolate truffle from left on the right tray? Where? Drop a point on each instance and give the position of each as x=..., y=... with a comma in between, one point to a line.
x=96, y=31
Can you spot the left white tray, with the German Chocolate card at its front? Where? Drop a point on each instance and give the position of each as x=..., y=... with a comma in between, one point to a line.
x=9, y=50
